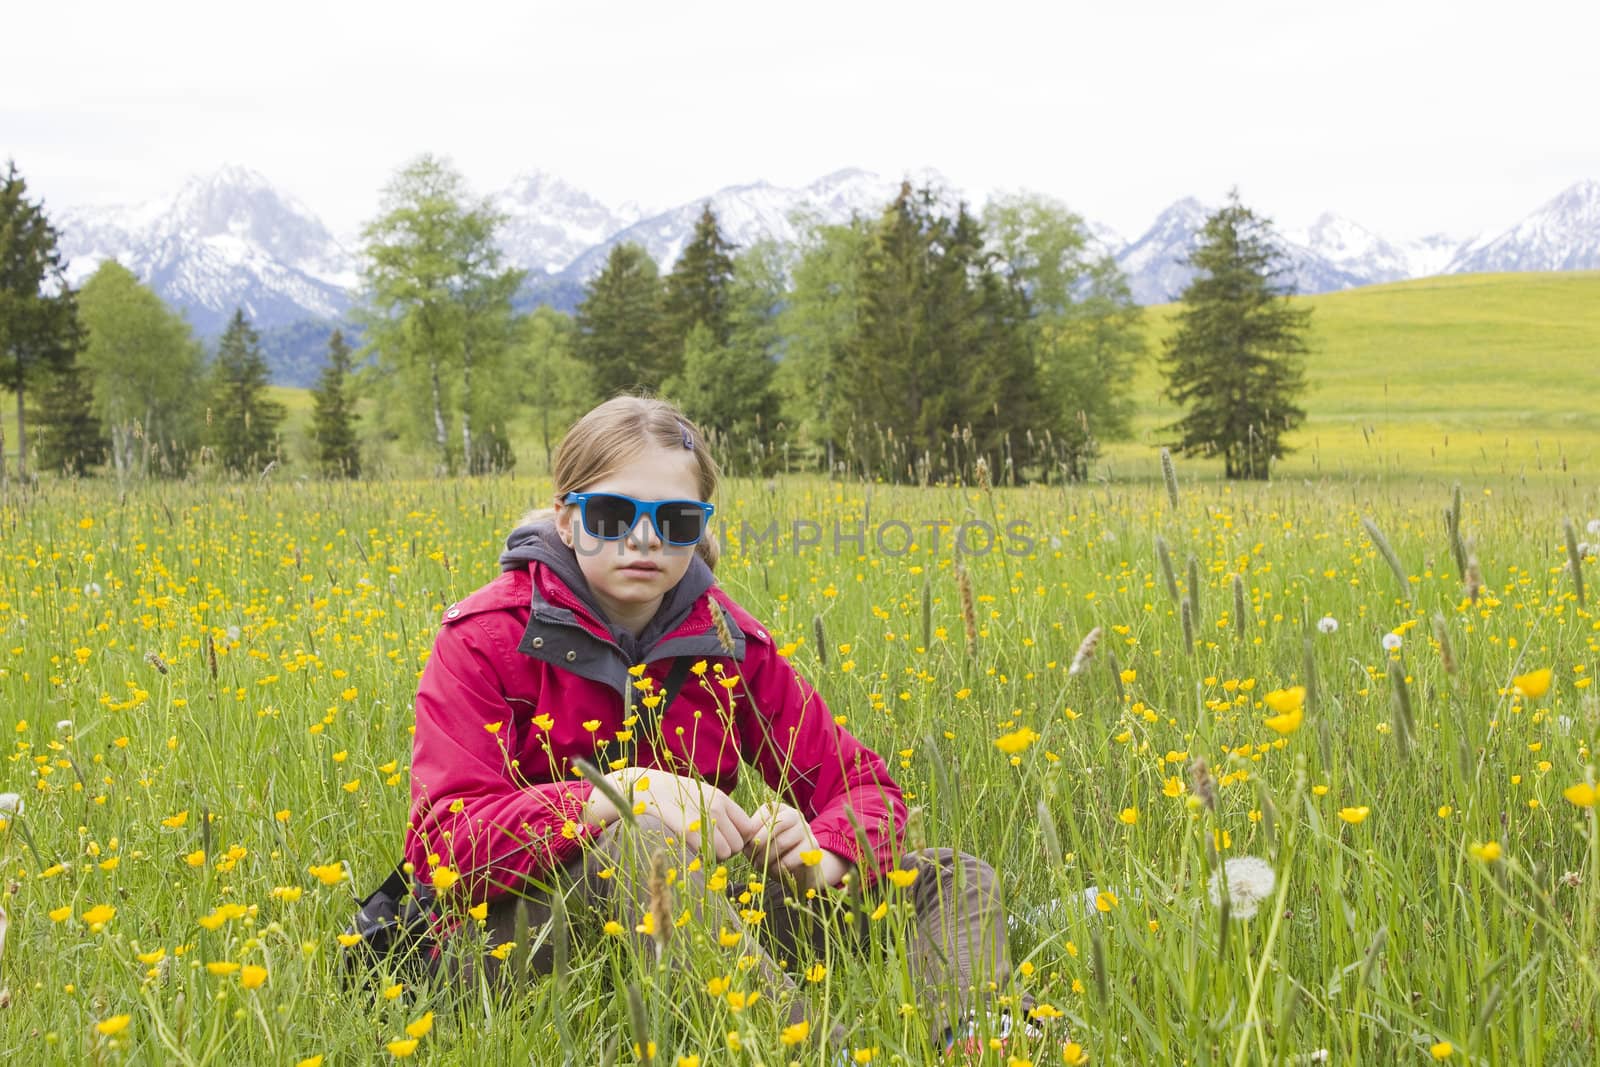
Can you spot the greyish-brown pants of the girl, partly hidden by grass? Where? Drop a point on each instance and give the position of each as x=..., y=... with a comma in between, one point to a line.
x=956, y=949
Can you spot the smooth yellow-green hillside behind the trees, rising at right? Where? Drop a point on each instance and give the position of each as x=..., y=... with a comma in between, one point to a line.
x=1494, y=374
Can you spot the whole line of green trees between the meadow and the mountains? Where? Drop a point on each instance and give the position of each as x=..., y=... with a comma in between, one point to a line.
x=924, y=343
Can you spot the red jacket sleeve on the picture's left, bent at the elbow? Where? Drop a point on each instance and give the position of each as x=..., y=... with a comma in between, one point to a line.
x=470, y=812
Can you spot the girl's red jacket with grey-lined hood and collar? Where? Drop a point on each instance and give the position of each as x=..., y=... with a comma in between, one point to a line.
x=524, y=679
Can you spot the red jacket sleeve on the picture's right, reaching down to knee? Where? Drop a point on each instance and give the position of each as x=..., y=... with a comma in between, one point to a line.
x=839, y=783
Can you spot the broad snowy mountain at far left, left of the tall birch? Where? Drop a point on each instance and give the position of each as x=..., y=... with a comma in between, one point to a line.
x=226, y=241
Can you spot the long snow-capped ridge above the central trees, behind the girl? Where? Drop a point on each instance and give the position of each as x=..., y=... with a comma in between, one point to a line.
x=761, y=210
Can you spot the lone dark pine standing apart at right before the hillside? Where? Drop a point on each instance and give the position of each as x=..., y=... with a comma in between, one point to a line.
x=1234, y=359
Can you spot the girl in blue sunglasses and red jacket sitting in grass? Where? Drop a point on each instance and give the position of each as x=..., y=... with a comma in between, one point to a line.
x=606, y=639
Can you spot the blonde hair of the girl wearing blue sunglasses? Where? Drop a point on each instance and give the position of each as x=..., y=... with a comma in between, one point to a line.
x=615, y=434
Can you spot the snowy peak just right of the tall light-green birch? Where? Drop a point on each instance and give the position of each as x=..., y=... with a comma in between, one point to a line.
x=551, y=223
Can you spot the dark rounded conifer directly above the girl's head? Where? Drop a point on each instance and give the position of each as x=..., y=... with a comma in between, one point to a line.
x=618, y=326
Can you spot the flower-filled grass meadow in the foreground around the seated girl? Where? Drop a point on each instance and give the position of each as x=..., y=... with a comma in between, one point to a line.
x=207, y=697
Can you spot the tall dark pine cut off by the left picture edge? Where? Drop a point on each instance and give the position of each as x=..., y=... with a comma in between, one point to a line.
x=39, y=326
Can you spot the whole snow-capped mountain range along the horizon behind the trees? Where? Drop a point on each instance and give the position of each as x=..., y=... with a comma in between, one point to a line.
x=231, y=239
